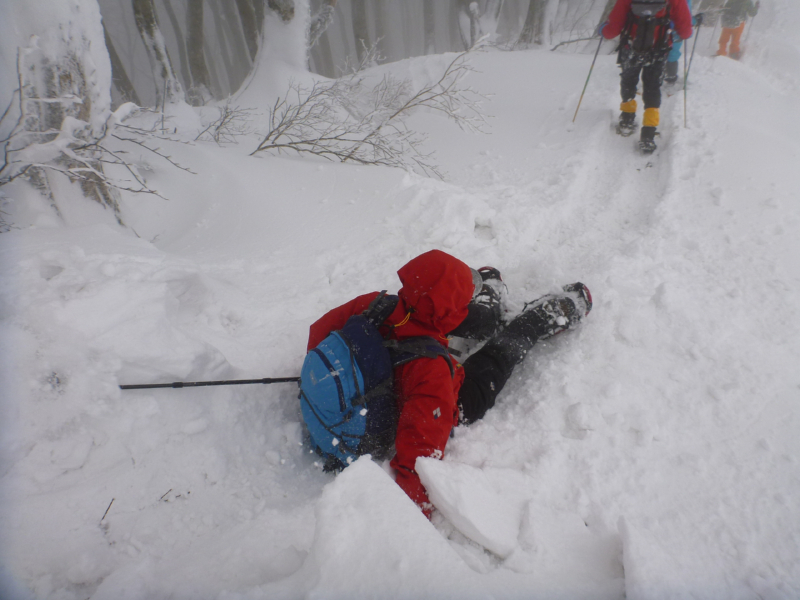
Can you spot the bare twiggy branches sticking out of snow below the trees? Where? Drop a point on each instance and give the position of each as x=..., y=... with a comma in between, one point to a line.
x=345, y=121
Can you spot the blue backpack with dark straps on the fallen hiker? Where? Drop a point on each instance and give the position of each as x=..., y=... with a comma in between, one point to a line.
x=347, y=386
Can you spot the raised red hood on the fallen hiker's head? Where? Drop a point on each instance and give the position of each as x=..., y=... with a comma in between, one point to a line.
x=436, y=289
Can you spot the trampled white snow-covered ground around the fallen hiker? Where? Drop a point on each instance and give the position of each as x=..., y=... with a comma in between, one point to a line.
x=653, y=453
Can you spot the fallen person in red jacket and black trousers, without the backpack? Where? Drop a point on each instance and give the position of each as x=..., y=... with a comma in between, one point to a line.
x=442, y=297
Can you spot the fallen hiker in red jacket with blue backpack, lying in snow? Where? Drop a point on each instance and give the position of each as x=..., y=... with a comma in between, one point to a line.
x=440, y=296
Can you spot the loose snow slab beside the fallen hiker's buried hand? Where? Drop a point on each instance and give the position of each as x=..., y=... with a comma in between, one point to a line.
x=465, y=496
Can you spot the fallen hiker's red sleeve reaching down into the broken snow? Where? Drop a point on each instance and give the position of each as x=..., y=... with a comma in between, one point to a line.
x=428, y=412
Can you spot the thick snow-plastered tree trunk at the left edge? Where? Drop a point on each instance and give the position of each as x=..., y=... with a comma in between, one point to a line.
x=60, y=103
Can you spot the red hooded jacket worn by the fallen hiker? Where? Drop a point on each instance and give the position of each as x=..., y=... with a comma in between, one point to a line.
x=436, y=290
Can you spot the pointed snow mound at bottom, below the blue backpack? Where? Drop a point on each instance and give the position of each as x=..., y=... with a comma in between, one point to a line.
x=367, y=525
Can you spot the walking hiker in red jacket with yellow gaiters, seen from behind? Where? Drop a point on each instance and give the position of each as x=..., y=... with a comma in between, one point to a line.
x=645, y=30
